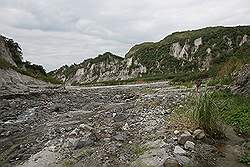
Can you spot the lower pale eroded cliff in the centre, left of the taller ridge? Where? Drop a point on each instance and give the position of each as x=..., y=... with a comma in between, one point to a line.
x=105, y=67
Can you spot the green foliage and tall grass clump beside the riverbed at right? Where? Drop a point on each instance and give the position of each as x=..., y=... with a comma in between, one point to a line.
x=212, y=109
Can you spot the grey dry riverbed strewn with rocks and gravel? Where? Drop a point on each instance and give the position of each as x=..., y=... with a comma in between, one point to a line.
x=98, y=126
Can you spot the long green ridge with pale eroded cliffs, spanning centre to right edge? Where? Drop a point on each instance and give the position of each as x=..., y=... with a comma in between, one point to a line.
x=181, y=52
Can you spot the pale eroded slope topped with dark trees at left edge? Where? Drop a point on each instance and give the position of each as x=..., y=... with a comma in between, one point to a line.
x=17, y=76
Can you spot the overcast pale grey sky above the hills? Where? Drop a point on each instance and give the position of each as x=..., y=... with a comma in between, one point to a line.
x=57, y=32
